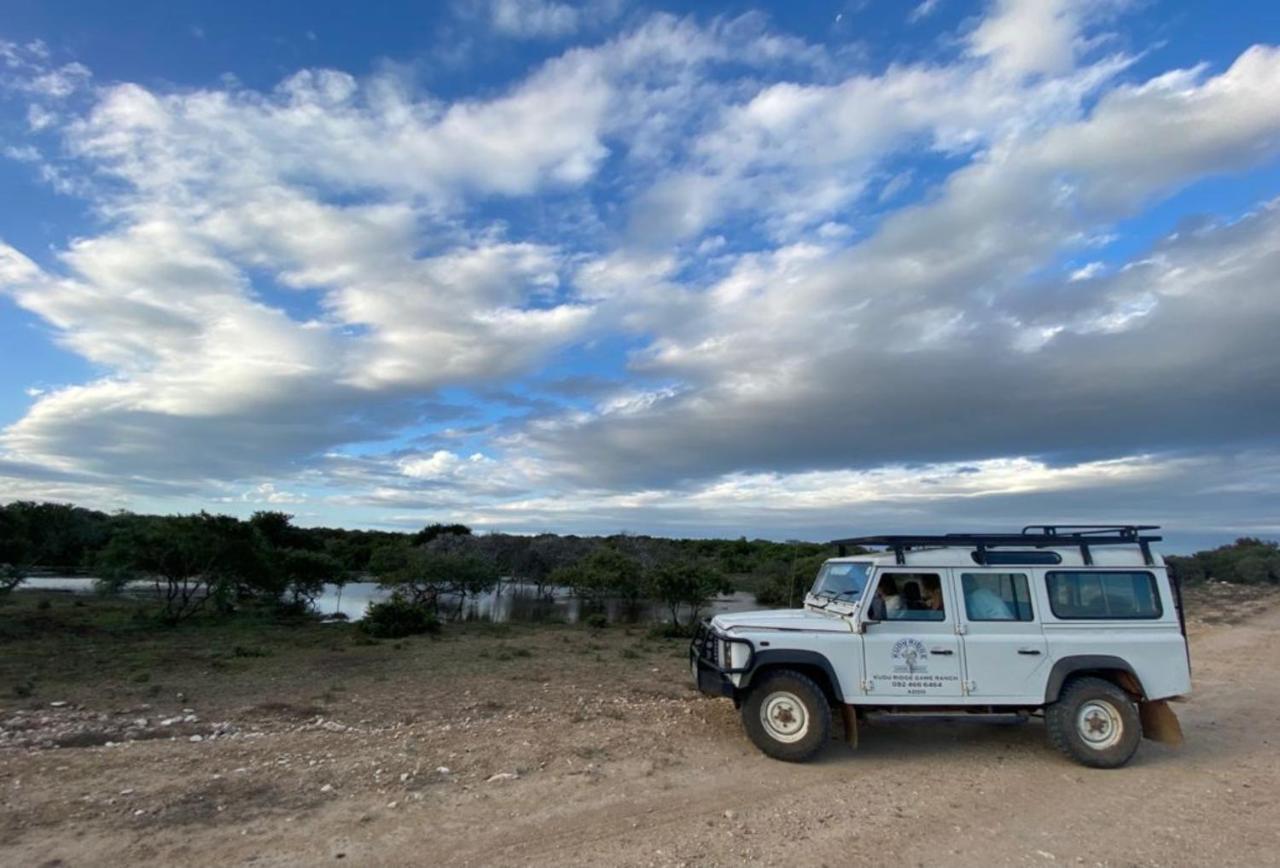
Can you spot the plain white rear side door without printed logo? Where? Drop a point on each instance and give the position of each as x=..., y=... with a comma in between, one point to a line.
x=1005, y=651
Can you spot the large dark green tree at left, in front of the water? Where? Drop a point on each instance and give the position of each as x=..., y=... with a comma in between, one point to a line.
x=193, y=560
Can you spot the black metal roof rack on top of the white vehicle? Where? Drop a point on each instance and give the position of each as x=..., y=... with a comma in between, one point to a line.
x=1032, y=536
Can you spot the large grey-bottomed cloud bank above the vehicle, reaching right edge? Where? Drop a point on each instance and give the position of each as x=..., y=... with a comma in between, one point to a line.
x=778, y=357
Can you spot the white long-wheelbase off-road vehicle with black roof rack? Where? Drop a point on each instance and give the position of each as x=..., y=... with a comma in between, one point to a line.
x=1080, y=624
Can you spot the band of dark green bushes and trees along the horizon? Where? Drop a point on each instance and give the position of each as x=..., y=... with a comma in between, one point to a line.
x=209, y=565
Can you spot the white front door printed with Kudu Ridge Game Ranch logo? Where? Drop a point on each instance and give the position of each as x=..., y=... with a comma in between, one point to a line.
x=911, y=648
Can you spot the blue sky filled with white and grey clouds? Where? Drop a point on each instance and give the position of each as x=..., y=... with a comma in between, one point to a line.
x=784, y=271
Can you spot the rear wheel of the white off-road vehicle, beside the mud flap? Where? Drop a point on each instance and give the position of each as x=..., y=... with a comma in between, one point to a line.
x=1095, y=723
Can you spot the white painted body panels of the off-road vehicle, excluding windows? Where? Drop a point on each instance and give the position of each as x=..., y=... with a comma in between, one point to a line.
x=963, y=661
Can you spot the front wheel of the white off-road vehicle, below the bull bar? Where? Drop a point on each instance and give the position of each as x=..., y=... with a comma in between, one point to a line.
x=799, y=715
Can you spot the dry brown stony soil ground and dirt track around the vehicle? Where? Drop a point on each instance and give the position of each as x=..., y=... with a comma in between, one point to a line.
x=589, y=751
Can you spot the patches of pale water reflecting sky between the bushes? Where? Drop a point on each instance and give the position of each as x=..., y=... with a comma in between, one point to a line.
x=510, y=601
